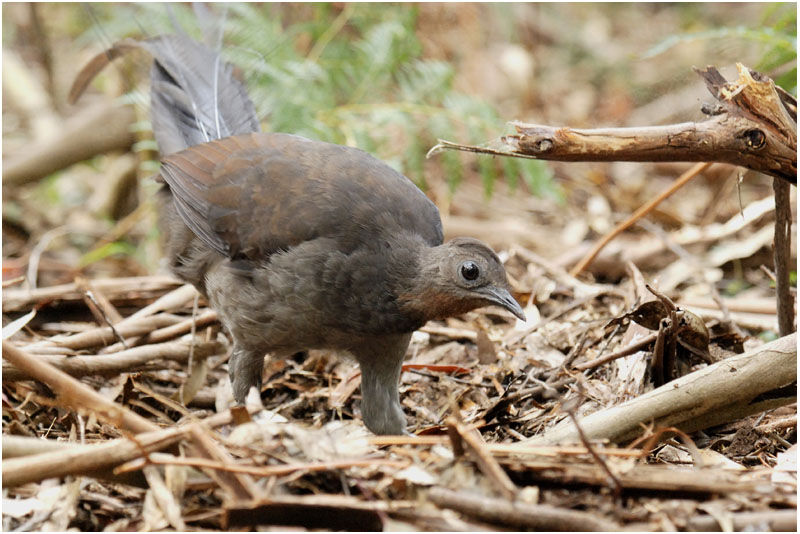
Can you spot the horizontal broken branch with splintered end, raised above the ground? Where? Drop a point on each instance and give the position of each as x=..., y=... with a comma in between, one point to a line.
x=754, y=125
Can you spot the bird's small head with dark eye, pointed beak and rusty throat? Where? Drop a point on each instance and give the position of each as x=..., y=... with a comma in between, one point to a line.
x=459, y=276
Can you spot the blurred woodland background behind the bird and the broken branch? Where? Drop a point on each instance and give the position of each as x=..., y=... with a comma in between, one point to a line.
x=390, y=79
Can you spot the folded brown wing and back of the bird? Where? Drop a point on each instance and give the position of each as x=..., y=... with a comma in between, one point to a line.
x=248, y=196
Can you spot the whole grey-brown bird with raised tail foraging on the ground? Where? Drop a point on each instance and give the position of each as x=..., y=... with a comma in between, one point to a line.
x=299, y=244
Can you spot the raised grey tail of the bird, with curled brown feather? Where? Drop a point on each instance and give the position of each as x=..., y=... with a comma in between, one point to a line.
x=194, y=95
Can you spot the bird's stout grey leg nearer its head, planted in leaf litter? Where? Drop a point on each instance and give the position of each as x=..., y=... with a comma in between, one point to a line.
x=380, y=373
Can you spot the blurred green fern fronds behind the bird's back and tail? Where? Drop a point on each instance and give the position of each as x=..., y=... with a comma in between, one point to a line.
x=351, y=76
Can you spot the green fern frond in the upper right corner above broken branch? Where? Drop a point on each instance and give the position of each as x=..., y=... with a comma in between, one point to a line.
x=776, y=35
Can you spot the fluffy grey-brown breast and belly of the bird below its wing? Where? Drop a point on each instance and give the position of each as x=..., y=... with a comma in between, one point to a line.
x=304, y=299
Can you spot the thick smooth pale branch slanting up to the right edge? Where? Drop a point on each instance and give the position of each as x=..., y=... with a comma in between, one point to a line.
x=736, y=387
